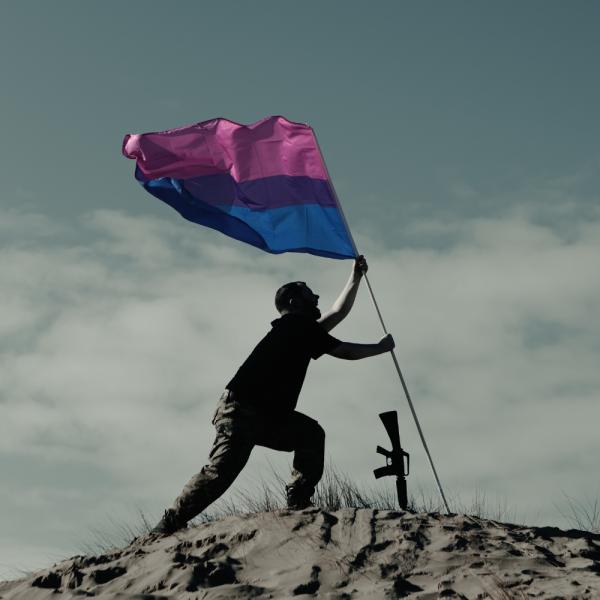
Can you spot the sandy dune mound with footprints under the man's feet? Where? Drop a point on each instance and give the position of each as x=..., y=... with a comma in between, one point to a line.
x=350, y=553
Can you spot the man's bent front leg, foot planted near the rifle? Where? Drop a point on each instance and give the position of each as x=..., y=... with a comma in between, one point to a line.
x=306, y=438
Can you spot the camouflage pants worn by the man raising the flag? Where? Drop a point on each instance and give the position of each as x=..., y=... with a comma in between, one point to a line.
x=239, y=429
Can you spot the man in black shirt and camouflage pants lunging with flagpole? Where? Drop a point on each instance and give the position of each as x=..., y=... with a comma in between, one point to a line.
x=258, y=405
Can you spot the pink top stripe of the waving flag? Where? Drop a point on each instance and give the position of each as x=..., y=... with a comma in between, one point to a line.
x=271, y=146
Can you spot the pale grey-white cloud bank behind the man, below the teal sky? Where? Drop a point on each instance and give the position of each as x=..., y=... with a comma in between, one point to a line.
x=115, y=353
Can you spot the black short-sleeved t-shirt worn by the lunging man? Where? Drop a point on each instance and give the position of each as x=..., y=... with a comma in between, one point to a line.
x=271, y=378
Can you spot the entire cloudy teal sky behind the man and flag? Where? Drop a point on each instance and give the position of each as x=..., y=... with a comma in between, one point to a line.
x=462, y=139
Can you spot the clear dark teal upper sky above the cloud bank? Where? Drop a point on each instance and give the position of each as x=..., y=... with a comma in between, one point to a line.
x=405, y=96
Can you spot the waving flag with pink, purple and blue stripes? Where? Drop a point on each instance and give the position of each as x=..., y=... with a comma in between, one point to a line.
x=265, y=184
